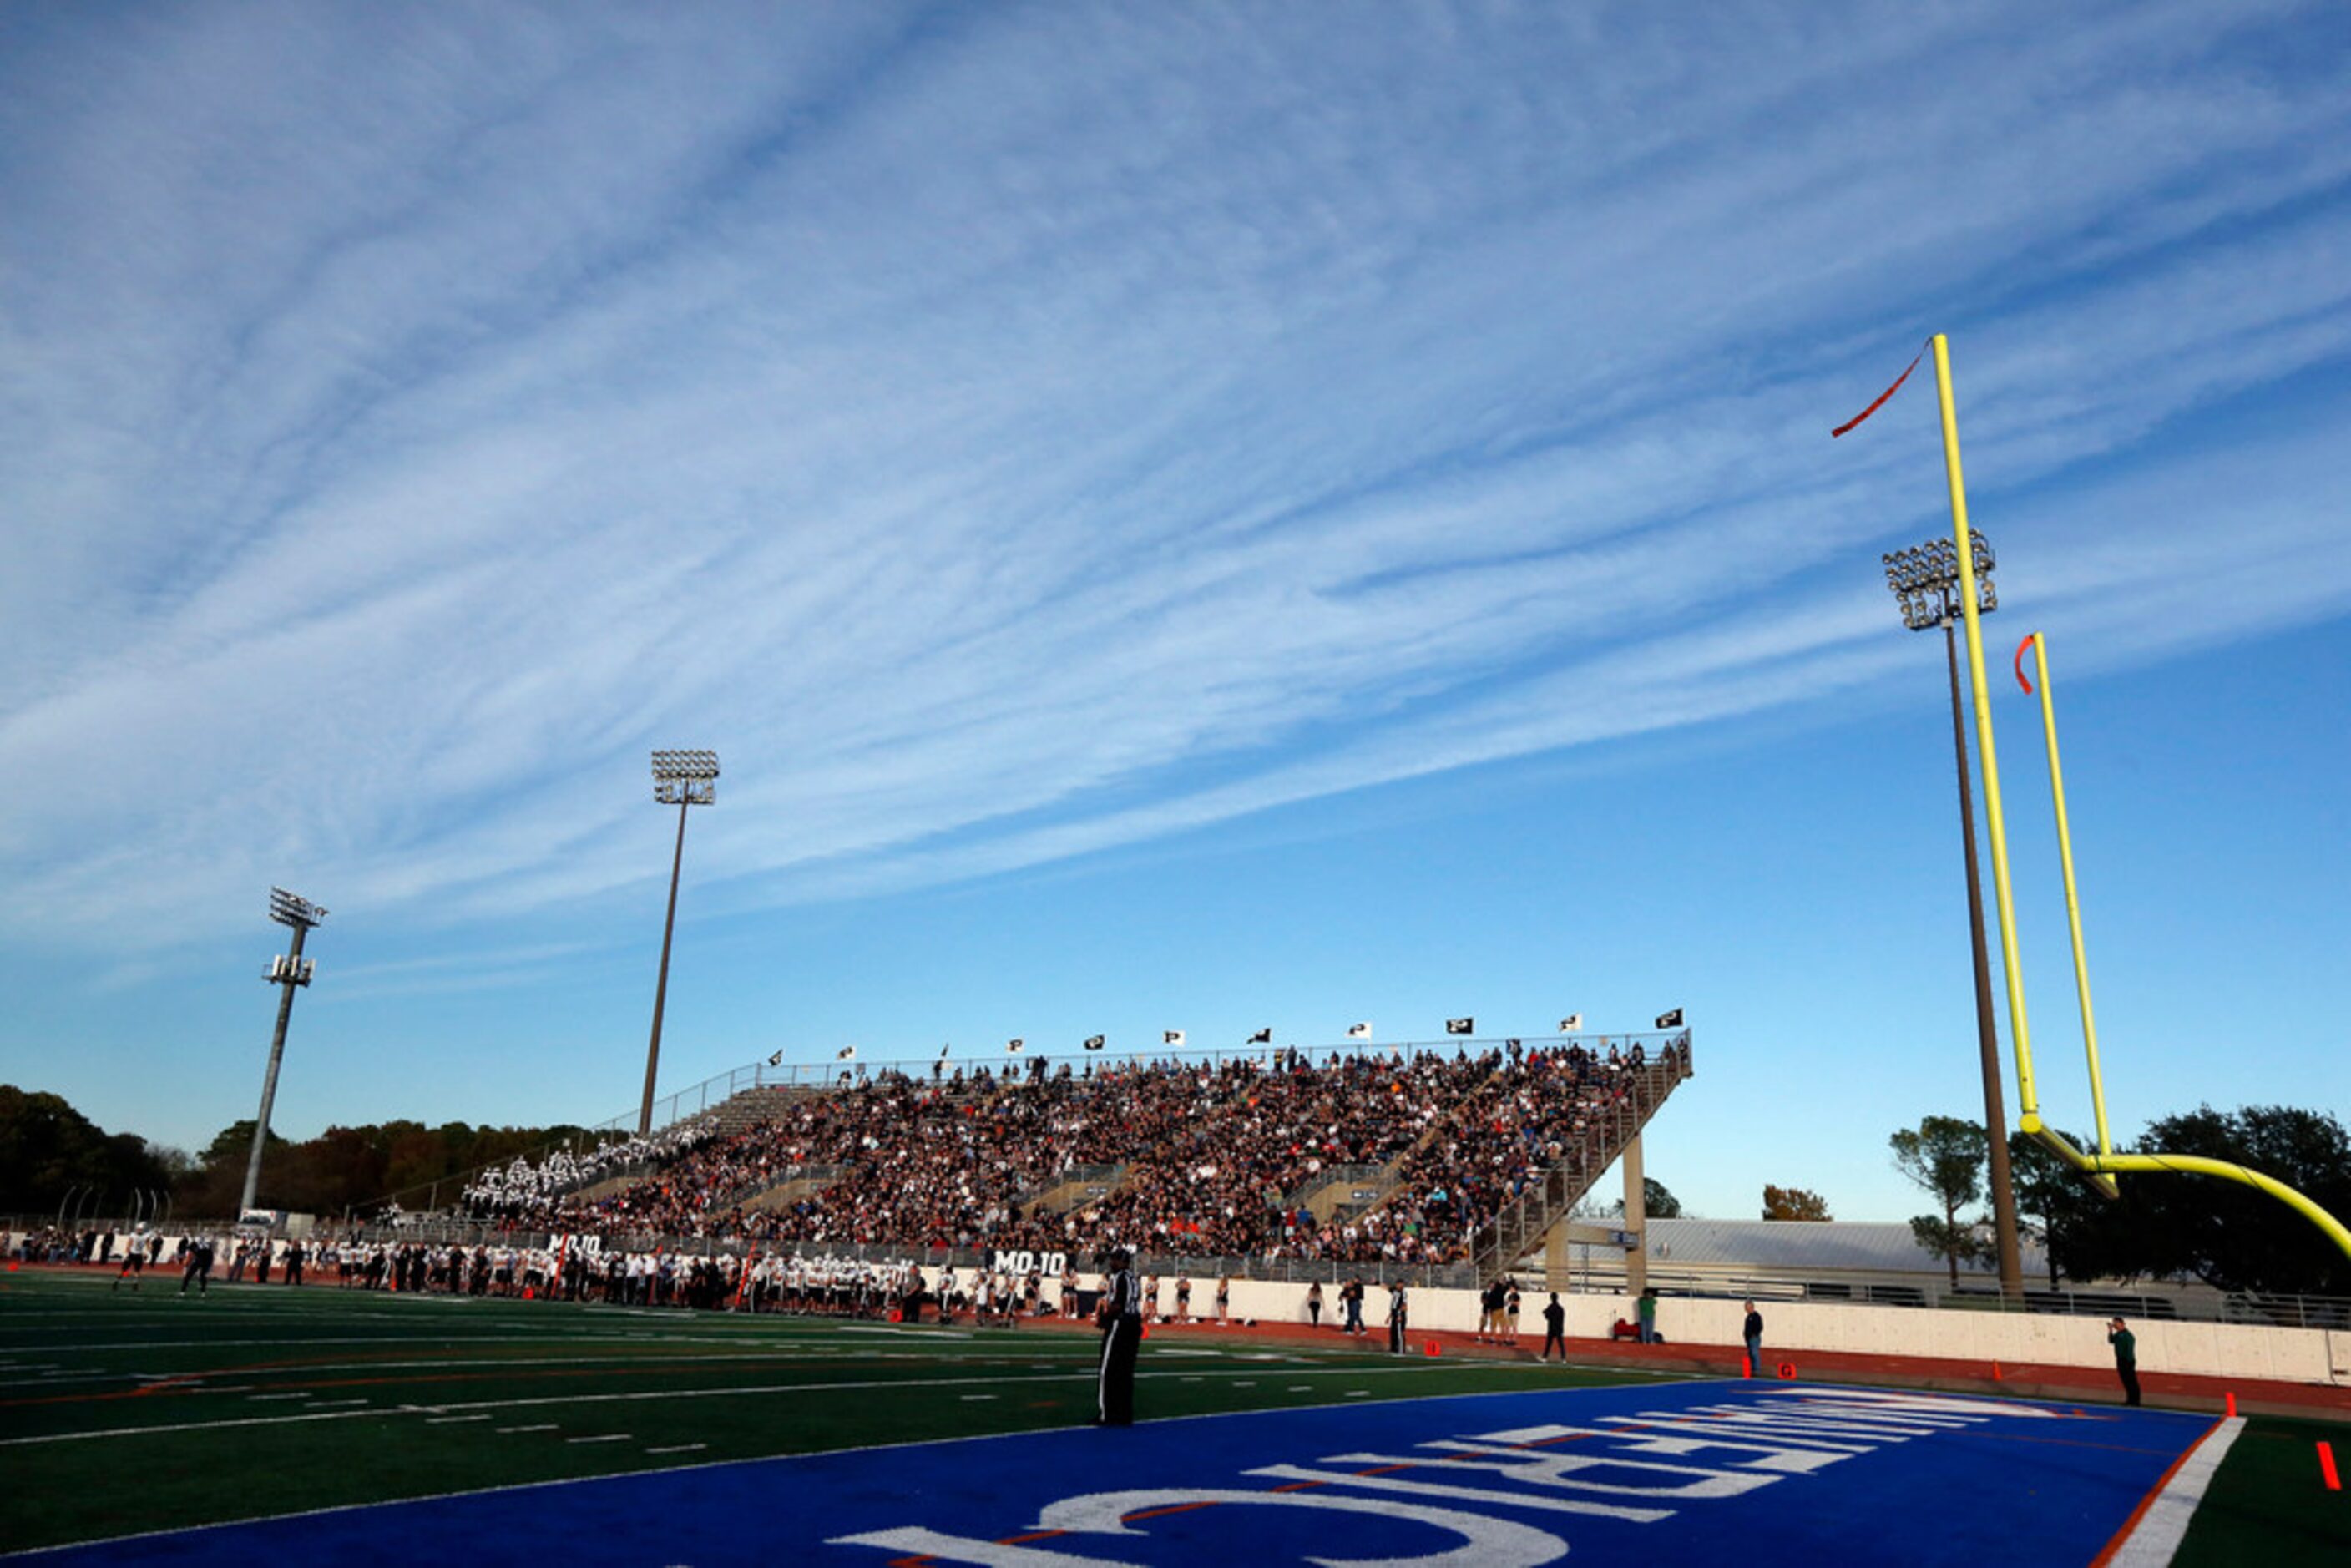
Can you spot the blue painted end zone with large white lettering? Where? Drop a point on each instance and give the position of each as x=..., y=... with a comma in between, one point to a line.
x=1734, y=1473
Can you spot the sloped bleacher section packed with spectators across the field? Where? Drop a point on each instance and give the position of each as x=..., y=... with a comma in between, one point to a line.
x=1214, y=1158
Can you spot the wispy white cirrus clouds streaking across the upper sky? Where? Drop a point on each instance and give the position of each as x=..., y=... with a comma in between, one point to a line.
x=1012, y=434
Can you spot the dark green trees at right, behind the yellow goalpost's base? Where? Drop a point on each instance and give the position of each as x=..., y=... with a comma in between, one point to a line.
x=2171, y=1226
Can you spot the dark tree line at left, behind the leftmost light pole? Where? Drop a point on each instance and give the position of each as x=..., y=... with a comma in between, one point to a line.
x=48, y=1151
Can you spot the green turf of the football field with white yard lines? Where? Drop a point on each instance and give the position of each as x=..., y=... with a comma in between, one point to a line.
x=152, y=1412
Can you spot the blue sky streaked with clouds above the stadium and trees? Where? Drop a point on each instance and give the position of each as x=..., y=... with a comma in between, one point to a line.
x=1172, y=518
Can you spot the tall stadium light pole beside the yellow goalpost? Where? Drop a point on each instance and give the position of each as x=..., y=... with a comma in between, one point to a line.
x=1927, y=584
